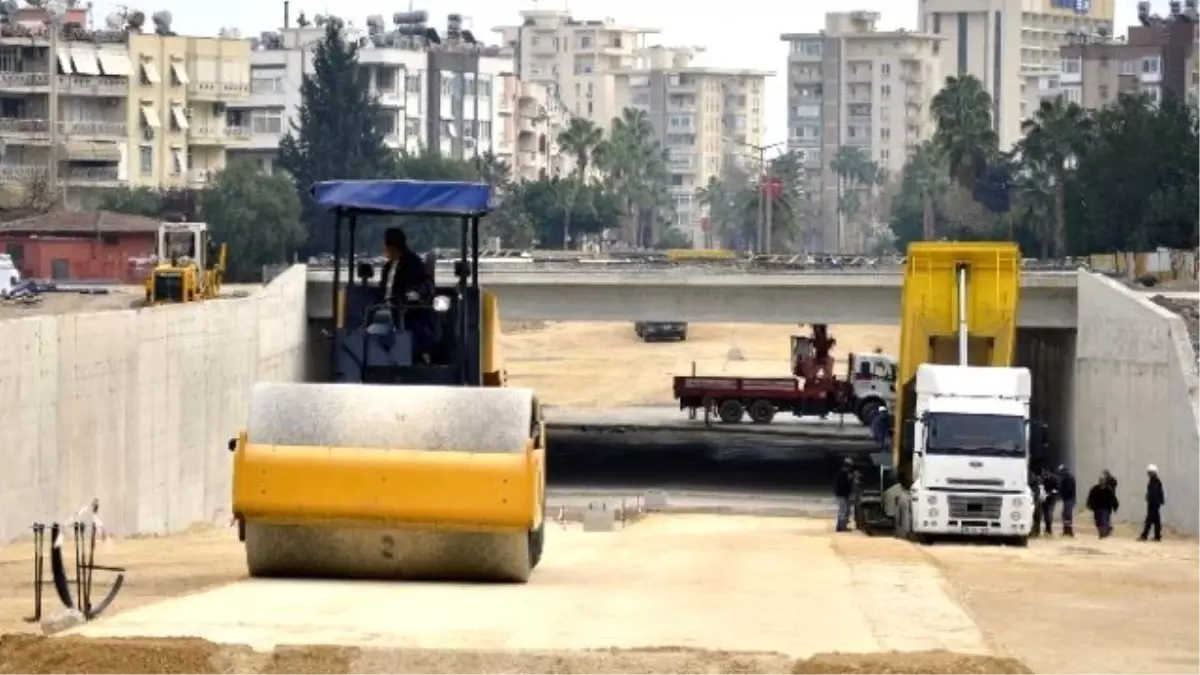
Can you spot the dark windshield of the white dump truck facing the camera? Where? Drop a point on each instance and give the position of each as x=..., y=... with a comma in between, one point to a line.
x=985, y=435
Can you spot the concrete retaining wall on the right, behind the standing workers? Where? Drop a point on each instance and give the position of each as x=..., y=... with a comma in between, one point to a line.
x=1137, y=401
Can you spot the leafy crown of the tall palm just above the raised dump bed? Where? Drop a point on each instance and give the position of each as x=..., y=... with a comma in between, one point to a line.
x=965, y=134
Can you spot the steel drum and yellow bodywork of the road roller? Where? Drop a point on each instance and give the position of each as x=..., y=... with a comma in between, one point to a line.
x=394, y=481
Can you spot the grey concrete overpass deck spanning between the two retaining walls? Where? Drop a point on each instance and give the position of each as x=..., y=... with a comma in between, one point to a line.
x=699, y=295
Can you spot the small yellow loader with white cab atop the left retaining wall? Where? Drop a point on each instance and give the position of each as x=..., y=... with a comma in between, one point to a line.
x=190, y=268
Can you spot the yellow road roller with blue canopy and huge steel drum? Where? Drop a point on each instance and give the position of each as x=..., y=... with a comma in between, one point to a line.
x=413, y=461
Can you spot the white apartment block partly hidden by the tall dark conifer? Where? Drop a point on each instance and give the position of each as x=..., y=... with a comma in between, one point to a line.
x=433, y=93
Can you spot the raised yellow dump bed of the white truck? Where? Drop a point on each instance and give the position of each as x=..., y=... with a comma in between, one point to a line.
x=931, y=319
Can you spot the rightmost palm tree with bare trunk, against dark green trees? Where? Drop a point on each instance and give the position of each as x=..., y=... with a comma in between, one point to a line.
x=1059, y=133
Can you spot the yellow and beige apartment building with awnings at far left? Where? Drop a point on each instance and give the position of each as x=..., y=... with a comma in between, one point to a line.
x=115, y=107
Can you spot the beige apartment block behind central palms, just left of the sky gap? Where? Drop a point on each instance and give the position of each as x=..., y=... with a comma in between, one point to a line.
x=706, y=118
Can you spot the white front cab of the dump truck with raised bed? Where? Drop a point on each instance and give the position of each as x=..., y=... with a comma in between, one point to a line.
x=971, y=455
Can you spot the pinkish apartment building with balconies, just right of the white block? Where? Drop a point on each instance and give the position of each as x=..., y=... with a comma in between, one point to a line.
x=531, y=121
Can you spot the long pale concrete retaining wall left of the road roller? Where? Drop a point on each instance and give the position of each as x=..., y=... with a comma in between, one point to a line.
x=135, y=408
